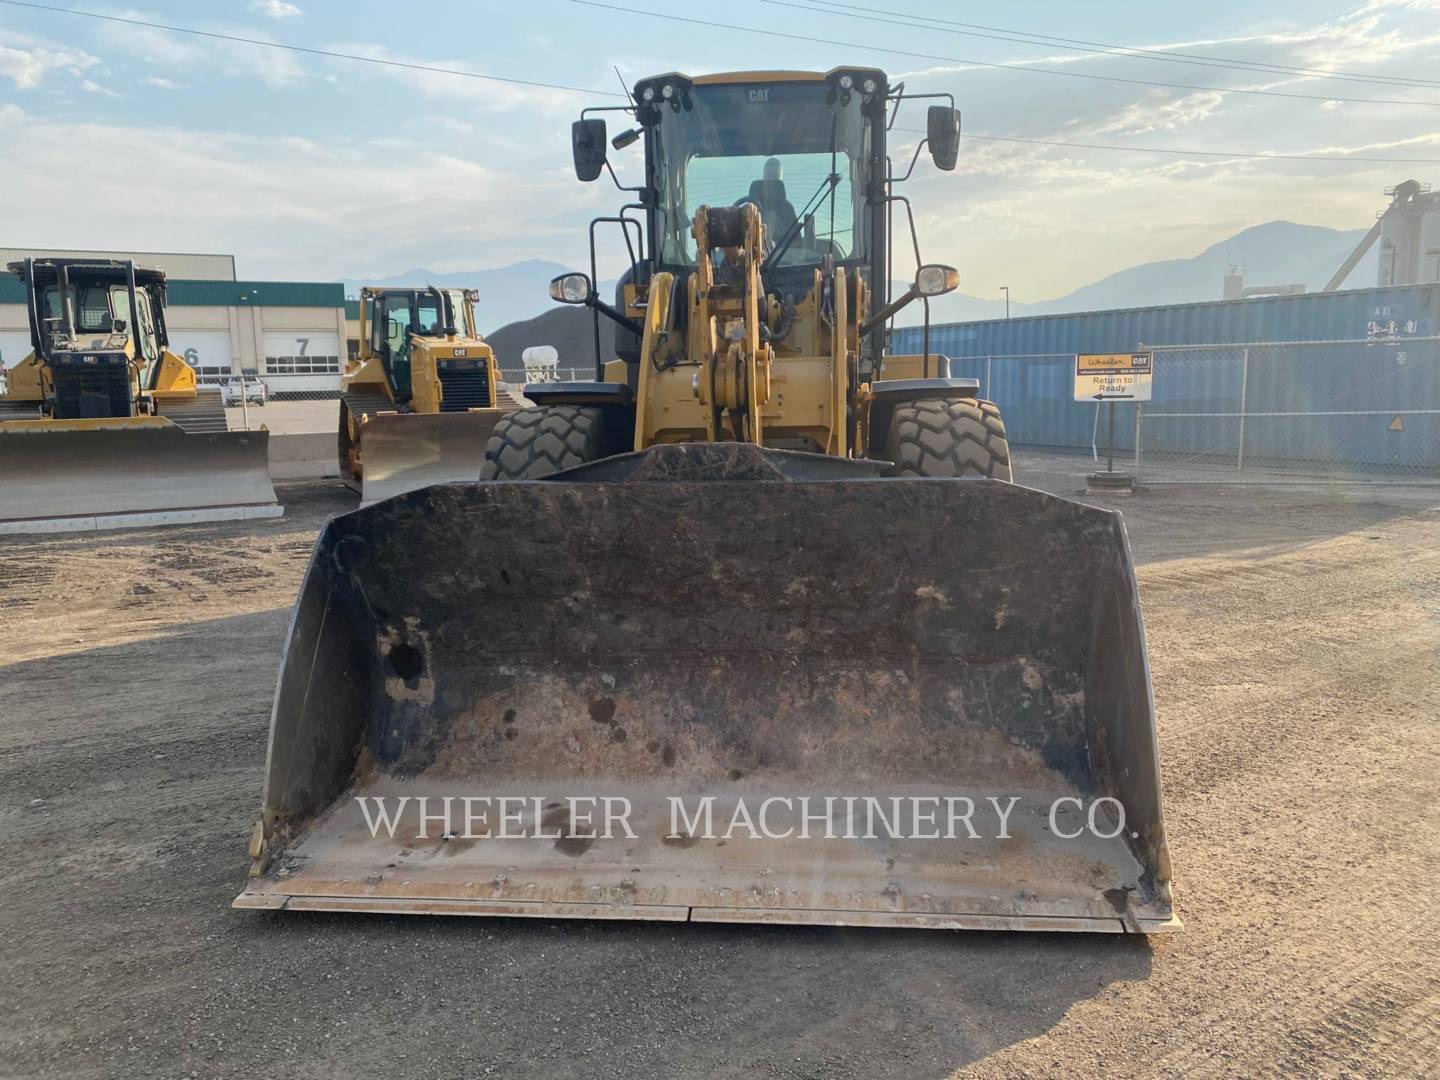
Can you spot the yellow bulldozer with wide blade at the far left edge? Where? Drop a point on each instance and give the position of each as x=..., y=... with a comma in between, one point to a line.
x=103, y=427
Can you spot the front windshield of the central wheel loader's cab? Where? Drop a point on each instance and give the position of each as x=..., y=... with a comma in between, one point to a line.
x=781, y=148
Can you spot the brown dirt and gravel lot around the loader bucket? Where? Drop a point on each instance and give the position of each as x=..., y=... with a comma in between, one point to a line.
x=1295, y=639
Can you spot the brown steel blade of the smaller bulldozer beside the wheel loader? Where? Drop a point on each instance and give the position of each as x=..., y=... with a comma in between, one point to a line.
x=405, y=451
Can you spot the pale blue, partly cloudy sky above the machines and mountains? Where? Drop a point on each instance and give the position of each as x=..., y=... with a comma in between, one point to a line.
x=312, y=168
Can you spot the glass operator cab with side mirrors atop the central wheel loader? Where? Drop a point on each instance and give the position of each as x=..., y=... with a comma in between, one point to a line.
x=807, y=149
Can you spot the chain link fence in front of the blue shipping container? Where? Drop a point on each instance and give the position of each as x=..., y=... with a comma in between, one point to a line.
x=1261, y=413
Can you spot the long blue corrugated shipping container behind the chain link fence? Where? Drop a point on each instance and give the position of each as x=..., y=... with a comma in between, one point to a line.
x=1027, y=366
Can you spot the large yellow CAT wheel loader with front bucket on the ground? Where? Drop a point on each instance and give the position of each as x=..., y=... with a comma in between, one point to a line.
x=752, y=627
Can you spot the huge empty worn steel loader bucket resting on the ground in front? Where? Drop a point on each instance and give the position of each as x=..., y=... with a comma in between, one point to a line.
x=847, y=663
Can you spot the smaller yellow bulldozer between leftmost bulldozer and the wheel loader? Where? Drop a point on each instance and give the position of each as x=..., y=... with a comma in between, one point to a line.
x=426, y=397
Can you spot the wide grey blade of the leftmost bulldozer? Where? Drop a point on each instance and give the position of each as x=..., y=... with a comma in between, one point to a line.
x=70, y=477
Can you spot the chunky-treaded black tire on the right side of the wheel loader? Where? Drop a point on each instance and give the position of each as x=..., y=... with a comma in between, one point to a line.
x=940, y=438
